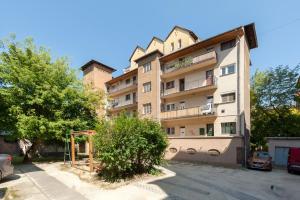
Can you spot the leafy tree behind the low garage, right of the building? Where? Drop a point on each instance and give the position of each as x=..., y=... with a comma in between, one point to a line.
x=272, y=103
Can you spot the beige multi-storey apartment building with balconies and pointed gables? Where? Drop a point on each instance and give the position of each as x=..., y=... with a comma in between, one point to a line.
x=198, y=89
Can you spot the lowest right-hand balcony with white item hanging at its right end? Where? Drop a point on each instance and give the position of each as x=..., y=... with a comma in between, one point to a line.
x=205, y=111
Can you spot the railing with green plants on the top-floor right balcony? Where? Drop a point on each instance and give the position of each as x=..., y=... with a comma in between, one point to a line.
x=189, y=61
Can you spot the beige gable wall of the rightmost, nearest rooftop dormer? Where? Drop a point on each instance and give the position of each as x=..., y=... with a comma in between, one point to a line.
x=175, y=35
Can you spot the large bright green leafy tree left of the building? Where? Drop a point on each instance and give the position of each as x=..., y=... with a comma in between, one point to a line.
x=40, y=98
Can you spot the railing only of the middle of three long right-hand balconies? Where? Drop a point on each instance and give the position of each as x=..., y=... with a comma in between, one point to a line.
x=190, y=85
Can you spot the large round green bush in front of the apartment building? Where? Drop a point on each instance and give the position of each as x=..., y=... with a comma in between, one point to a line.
x=128, y=145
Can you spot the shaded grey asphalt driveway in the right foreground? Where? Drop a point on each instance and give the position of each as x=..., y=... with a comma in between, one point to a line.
x=207, y=182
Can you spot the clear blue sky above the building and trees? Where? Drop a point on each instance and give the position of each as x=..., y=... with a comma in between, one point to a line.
x=109, y=31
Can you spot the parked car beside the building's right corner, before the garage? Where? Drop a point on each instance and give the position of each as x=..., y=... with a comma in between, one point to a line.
x=260, y=160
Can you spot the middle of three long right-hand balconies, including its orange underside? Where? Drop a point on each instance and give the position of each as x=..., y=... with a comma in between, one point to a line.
x=191, y=87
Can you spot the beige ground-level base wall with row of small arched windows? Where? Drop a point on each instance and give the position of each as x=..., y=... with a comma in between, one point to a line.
x=229, y=148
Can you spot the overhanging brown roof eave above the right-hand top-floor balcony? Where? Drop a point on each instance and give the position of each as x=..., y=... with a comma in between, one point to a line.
x=248, y=30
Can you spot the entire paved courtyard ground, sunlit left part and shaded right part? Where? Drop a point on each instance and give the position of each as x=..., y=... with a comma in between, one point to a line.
x=185, y=181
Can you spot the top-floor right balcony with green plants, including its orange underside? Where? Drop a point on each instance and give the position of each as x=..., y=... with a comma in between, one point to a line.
x=189, y=64
